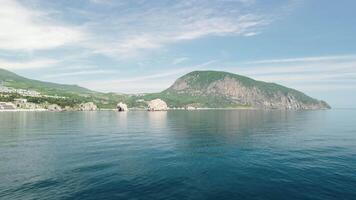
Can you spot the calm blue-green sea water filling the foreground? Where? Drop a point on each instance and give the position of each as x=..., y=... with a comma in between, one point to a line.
x=240, y=154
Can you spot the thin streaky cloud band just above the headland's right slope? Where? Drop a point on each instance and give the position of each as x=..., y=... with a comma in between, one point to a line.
x=304, y=73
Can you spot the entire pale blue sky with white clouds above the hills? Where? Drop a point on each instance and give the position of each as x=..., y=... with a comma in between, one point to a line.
x=137, y=46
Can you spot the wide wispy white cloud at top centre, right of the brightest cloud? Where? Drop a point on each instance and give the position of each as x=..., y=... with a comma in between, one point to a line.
x=149, y=26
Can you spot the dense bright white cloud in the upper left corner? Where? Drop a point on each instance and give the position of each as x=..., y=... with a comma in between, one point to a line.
x=26, y=29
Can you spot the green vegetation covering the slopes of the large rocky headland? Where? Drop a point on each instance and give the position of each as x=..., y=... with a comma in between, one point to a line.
x=201, y=80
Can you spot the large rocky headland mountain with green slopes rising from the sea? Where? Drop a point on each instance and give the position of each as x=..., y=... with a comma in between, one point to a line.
x=221, y=89
